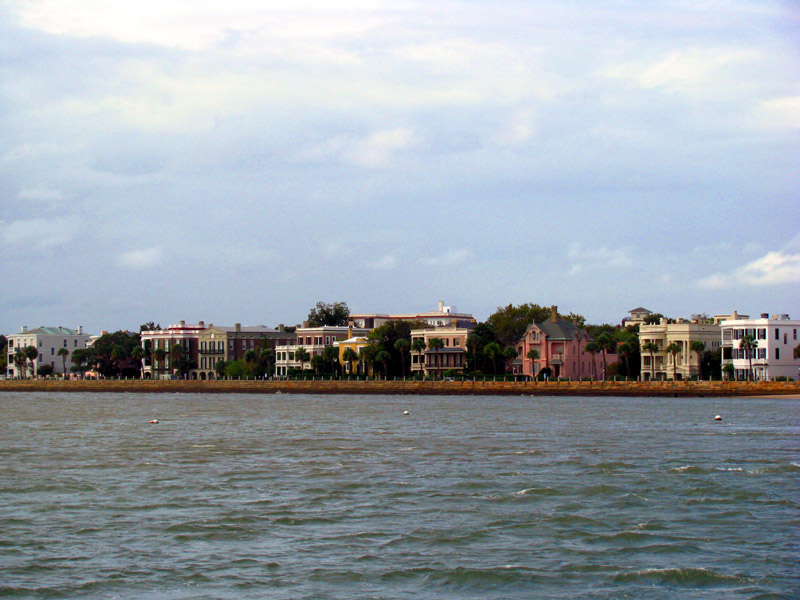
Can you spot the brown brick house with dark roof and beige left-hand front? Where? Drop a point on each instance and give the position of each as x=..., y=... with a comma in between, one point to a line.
x=222, y=343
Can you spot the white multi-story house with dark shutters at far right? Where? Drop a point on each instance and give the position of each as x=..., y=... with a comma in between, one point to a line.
x=776, y=338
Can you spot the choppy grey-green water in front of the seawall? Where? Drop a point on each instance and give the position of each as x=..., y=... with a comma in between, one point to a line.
x=287, y=496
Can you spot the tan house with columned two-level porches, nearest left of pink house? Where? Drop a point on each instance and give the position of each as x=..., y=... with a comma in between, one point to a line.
x=450, y=357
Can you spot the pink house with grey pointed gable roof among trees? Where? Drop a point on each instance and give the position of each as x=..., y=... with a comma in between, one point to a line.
x=561, y=346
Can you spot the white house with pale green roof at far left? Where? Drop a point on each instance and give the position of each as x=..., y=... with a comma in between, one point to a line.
x=47, y=341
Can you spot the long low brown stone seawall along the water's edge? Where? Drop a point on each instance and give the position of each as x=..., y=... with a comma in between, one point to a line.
x=468, y=388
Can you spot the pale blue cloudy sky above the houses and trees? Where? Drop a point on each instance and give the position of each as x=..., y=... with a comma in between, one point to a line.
x=239, y=161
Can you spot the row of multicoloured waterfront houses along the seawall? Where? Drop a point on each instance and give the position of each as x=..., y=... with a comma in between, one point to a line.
x=555, y=344
